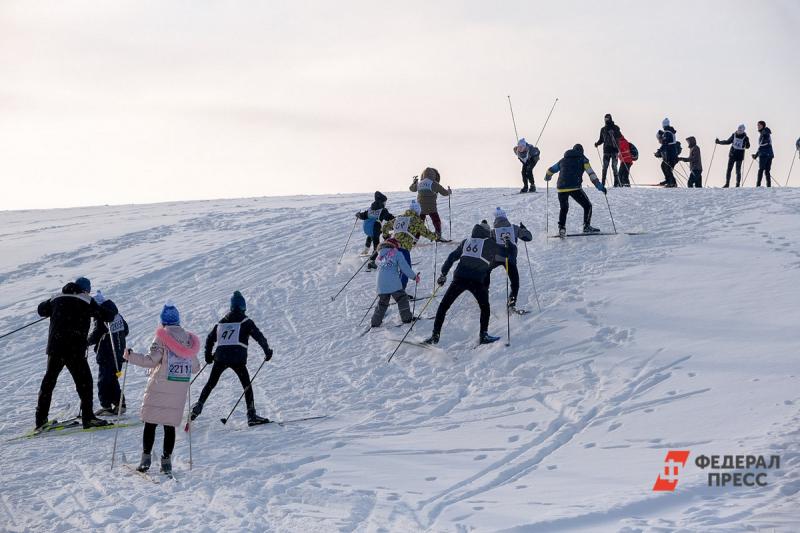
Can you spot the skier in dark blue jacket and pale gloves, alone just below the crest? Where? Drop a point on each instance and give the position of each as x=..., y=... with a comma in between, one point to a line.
x=570, y=184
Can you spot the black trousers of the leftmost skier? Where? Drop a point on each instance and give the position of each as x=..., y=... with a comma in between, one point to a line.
x=78, y=367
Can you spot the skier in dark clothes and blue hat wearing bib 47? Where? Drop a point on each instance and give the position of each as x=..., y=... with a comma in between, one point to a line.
x=231, y=336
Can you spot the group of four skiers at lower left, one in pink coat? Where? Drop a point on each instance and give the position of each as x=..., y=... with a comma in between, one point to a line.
x=171, y=358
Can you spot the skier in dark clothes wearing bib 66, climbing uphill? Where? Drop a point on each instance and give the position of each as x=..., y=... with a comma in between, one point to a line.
x=475, y=257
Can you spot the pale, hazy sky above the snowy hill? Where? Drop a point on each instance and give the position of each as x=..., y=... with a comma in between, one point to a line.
x=109, y=102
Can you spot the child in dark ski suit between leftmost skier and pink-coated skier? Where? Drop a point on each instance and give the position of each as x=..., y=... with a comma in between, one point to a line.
x=109, y=345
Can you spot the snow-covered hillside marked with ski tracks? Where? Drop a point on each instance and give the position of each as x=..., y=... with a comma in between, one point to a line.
x=682, y=338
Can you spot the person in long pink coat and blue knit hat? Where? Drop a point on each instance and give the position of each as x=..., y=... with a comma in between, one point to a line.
x=172, y=359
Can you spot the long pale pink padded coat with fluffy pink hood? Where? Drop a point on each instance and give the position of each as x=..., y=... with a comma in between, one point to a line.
x=172, y=359
